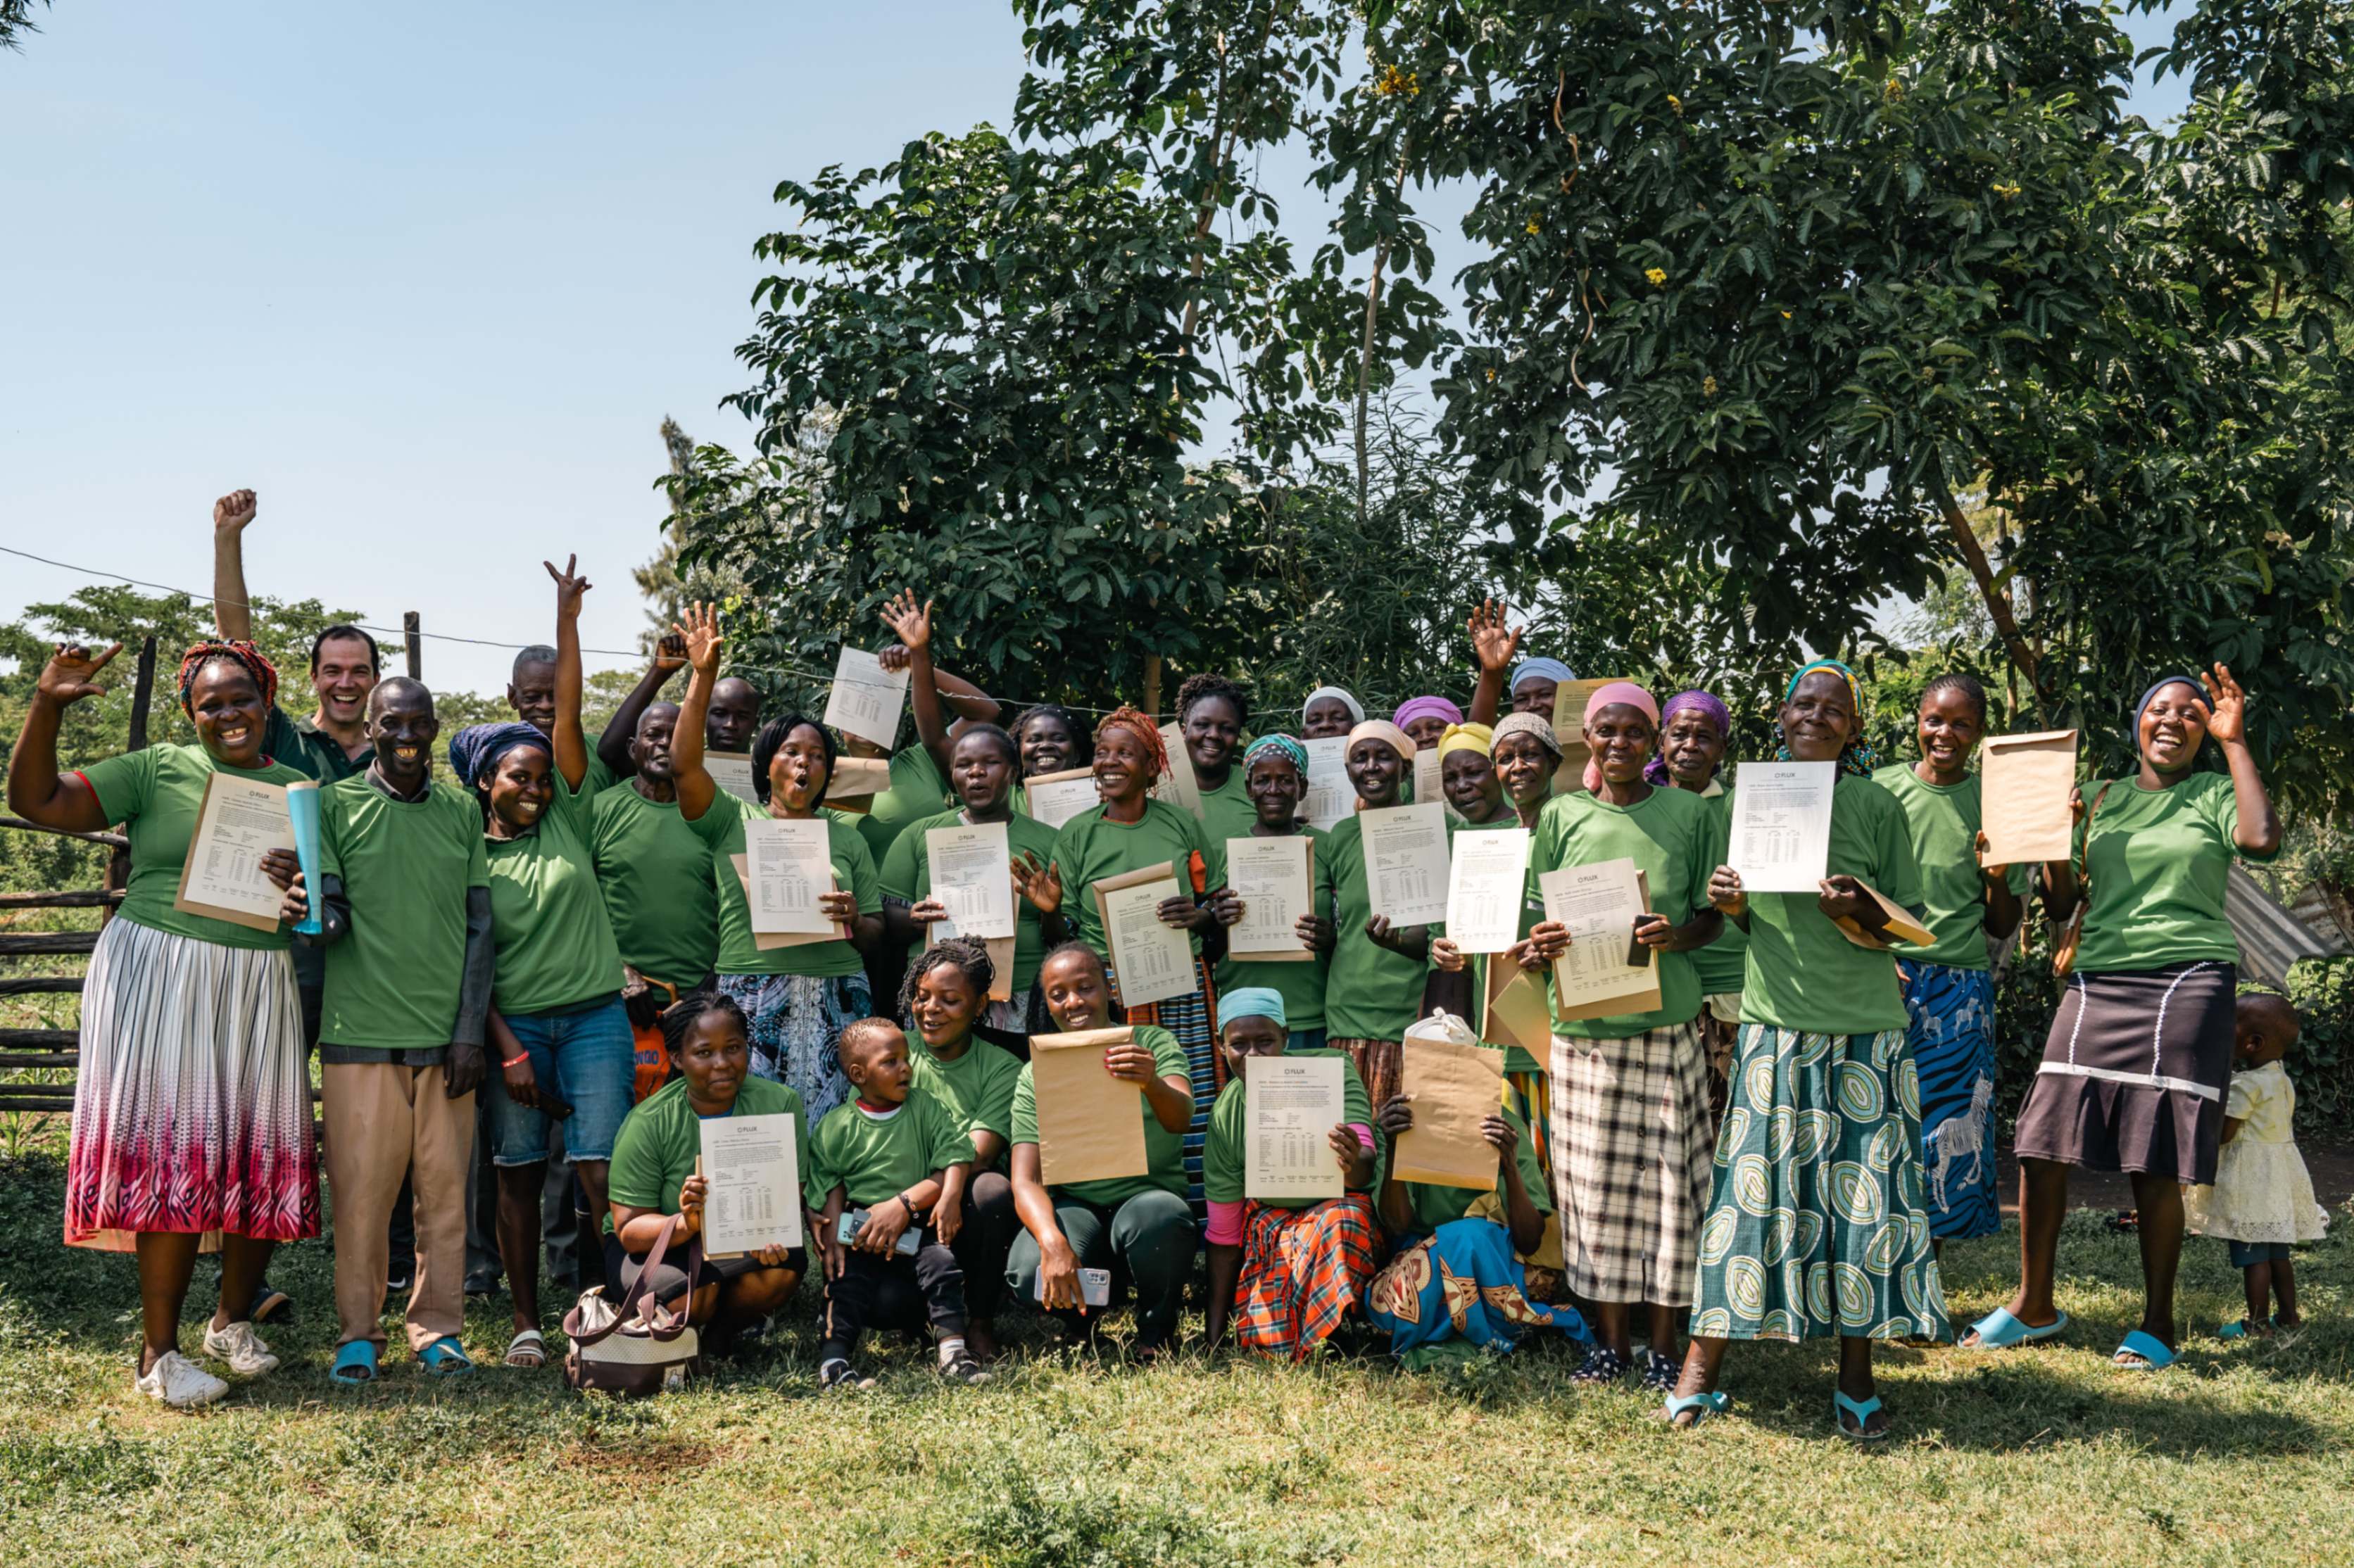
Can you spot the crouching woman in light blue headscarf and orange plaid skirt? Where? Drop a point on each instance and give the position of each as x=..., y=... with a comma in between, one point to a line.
x=1286, y=1268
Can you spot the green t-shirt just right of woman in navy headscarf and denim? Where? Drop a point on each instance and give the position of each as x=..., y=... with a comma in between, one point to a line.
x=656, y=875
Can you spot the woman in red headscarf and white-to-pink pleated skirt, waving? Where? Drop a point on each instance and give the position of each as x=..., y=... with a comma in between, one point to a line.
x=192, y=1108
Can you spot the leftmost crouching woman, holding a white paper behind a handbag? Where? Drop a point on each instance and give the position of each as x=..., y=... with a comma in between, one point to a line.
x=653, y=1174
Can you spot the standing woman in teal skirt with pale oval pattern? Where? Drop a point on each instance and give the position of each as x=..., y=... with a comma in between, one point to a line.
x=1821, y=1214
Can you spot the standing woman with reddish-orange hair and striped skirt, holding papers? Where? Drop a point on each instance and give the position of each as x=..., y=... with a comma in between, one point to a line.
x=1131, y=832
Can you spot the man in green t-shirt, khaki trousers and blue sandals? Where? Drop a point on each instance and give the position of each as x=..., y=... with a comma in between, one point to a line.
x=406, y=926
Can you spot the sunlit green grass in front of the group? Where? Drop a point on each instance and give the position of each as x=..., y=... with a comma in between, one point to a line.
x=2030, y=1459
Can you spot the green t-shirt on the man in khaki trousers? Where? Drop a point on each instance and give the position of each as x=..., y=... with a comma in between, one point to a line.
x=406, y=865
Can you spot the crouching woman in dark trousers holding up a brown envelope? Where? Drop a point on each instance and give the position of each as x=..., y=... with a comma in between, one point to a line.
x=1136, y=1228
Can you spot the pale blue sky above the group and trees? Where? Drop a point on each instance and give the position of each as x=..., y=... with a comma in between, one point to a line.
x=427, y=281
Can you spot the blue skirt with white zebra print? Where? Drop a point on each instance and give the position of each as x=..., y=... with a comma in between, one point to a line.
x=1953, y=1042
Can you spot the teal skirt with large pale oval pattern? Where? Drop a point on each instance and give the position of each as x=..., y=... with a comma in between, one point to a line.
x=1821, y=1221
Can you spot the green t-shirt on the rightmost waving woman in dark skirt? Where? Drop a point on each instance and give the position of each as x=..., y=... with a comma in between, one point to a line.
x=2160, y=861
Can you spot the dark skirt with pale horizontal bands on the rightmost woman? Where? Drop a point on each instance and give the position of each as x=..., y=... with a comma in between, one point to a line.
x=2134, y=1072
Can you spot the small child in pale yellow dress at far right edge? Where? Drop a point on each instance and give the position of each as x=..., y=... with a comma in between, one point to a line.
x=2263, y=1200
